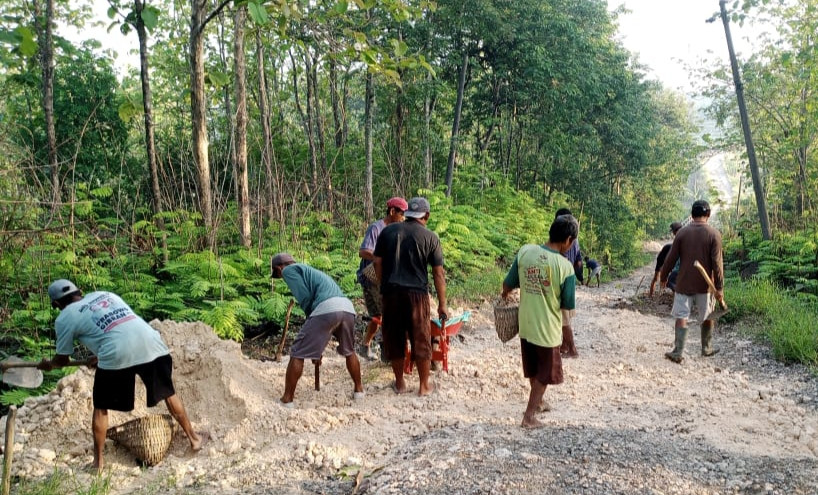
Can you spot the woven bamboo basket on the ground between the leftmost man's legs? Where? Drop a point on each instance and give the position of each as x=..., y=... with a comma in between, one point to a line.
x=147, y=437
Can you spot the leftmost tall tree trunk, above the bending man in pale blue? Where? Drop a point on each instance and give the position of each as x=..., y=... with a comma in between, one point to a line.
x=44, y=26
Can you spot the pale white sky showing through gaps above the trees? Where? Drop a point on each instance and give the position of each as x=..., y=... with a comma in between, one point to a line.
x=666, y=35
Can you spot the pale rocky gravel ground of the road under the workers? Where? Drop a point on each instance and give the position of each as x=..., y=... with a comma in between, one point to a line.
x=626, y=420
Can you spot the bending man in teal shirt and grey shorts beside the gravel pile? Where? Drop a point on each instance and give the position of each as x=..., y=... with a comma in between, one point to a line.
x=328, y=313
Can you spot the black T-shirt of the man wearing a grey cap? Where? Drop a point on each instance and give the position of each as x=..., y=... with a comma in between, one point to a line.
x=406, y=249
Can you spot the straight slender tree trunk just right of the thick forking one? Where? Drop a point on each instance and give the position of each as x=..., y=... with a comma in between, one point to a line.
x=240, y=140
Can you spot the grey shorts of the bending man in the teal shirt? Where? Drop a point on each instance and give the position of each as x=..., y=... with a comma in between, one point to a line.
x=316, y=332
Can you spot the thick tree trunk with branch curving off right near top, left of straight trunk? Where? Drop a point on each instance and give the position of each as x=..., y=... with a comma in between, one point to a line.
x=198, y=110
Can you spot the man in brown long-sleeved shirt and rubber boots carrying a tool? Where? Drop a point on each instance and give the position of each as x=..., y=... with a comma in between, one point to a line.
x=698, y=241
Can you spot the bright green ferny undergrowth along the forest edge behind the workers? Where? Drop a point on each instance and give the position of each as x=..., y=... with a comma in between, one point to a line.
x=158, y=266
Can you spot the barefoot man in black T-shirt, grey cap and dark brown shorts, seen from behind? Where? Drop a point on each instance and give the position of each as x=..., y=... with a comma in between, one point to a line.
x=402, y=256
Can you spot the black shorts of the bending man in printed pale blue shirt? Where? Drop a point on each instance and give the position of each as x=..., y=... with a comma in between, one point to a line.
x=114, y=389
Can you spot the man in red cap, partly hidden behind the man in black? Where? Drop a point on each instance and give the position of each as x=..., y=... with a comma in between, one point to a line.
x=372, y=291
